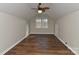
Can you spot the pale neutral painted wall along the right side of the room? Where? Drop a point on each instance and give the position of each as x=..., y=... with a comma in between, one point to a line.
x=67, y=29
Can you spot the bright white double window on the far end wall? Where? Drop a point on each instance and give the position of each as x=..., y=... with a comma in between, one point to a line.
x=41, y=23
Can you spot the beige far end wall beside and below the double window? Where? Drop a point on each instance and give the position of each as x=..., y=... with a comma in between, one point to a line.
x=49, y=30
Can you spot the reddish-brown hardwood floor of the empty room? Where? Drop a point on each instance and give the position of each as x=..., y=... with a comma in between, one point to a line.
x=40, y=44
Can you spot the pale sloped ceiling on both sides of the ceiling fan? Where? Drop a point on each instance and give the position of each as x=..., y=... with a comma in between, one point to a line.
x=24, y=10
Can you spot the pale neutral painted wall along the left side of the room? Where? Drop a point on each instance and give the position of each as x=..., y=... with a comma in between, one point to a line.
x=12, y=29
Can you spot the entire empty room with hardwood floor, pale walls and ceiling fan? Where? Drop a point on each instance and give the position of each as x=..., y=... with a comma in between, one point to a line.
x=39, y=28
